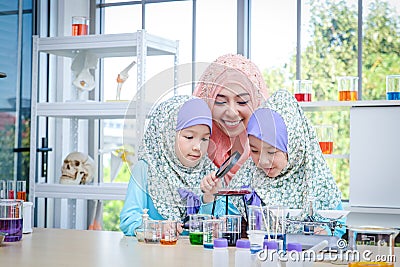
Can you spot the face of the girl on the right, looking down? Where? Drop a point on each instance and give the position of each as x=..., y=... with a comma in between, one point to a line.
x=268, y=158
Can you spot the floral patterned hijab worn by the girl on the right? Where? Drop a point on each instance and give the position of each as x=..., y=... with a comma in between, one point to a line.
x=306, y=174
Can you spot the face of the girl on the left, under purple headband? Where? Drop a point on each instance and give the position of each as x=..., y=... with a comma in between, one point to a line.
x=191, y=144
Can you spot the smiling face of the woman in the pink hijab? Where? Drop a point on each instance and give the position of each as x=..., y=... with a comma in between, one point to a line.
x=232, y=109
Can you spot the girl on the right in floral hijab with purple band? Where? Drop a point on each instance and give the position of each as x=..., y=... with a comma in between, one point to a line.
x=287, y=167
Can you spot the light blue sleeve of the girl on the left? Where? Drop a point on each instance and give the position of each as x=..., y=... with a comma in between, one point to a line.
x=136, y=200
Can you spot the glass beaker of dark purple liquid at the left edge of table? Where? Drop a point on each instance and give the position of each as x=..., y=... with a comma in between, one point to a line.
x=11, y=219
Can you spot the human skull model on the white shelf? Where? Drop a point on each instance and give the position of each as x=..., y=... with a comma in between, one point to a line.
x=78, y=168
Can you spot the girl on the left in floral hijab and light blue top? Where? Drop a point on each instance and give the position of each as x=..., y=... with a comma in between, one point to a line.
x=172, y=160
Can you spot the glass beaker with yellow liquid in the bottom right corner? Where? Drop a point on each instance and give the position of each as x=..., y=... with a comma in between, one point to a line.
x=372, y=246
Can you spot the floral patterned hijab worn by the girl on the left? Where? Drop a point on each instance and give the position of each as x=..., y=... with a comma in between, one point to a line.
x=166, y=174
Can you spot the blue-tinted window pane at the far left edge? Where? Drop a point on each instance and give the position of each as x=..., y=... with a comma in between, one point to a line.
x=15, y=62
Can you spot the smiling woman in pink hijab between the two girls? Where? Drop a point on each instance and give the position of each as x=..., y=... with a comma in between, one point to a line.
x=233, y=87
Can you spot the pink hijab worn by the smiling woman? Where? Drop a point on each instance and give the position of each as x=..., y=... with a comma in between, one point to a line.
x=230, y=69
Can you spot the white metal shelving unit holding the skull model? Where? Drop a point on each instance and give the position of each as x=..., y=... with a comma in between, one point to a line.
x=75, y=122
